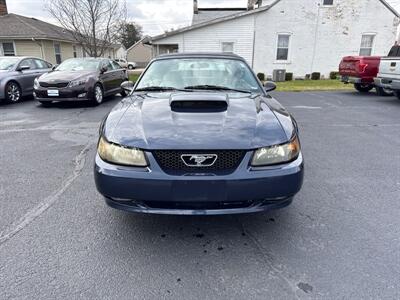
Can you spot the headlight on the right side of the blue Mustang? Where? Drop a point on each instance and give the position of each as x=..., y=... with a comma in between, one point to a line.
x=276, y=154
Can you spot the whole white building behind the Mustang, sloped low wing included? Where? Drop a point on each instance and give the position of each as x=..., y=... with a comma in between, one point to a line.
x=300, y=36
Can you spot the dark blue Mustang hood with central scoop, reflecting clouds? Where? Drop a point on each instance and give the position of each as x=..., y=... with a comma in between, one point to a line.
x=195, y=121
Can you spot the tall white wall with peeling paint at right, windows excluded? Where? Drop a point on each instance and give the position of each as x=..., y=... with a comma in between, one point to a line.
x=321, y=35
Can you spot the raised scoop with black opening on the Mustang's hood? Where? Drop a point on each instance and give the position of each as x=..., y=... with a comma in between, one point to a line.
x=198, y=103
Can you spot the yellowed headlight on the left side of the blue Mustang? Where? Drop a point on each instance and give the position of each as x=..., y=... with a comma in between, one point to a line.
x=120, y=155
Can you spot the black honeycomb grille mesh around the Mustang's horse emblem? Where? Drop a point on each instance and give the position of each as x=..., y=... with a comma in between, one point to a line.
x=171, y=162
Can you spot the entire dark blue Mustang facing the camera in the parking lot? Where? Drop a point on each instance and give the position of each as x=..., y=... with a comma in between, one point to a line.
x=198, y=135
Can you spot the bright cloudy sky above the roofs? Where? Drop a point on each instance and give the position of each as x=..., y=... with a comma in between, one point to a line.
x=155, y=16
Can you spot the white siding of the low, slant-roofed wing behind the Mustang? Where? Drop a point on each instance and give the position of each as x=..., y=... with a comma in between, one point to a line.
x=210, y=38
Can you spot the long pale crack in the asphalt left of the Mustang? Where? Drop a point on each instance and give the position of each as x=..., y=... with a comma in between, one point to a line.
x=30, y=216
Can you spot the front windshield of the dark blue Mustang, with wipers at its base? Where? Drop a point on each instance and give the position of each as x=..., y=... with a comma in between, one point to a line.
x=205, y=73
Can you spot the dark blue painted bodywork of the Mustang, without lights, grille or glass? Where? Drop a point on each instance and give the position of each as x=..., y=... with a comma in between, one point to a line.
x=146, y=121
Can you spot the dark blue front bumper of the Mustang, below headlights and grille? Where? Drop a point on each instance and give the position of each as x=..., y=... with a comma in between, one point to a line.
x=151, y=190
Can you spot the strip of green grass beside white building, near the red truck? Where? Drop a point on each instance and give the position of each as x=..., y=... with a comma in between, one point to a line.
x=312, y=85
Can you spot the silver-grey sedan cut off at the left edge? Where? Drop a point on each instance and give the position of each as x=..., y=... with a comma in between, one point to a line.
x=17, y=75
